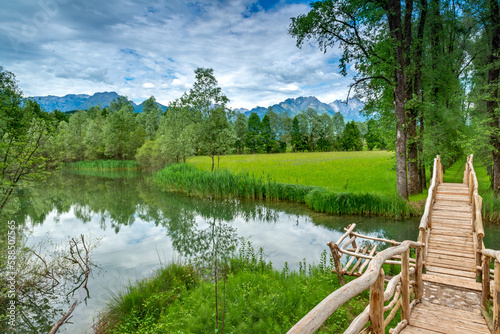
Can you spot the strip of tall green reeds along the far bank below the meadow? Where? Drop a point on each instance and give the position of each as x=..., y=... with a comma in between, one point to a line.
x=224, y=184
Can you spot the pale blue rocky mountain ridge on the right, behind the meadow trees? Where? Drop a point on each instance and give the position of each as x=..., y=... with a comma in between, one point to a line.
x=293, y=107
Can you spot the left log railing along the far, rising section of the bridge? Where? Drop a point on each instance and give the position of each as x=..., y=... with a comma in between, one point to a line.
x=426, y=221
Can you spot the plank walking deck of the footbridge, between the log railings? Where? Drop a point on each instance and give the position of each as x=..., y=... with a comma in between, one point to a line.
x=450, y=303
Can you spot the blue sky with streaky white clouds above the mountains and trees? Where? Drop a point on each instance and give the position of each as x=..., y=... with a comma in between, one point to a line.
x=142, y=48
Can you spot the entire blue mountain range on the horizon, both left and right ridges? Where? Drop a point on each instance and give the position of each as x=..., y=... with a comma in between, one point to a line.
x=350, y=111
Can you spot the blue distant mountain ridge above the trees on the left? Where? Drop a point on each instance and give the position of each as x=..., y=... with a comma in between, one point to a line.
x=82, y=101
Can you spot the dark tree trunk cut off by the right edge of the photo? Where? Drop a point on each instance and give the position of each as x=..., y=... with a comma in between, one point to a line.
x=492, y=102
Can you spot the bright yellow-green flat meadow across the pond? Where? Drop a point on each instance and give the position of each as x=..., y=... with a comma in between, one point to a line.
x=365, y=171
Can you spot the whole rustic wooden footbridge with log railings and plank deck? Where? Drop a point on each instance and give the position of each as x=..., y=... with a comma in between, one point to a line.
x=447, y=287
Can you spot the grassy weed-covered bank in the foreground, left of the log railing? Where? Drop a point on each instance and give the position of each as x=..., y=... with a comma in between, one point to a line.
x=252, y=297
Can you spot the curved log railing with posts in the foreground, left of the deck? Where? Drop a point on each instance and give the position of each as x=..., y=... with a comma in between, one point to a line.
x=373, y=279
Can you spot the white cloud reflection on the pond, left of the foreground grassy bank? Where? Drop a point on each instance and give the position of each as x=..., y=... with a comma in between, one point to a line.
x=135, y=252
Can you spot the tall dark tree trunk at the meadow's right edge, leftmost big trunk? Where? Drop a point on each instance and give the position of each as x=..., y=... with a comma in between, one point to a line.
x=394, y=17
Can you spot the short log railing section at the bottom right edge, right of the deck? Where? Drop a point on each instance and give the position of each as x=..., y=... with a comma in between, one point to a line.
x=491, y=291
